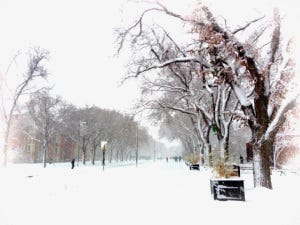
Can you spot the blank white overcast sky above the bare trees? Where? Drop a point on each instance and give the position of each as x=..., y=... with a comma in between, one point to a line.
x=79, y=36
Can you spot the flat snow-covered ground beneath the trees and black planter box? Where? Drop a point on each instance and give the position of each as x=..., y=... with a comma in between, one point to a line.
x=154, y=193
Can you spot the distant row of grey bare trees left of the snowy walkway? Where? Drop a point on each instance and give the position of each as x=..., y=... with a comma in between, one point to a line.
x=70, y=132
